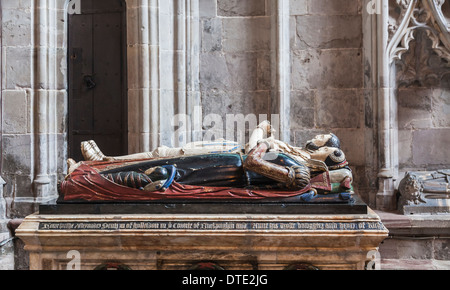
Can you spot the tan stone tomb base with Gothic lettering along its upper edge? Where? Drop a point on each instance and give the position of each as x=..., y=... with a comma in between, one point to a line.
x=154, y=242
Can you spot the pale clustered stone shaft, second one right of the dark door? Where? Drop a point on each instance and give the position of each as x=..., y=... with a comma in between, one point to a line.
x=185, y=84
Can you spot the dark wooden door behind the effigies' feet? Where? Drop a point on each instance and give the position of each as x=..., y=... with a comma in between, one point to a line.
x=97, y=77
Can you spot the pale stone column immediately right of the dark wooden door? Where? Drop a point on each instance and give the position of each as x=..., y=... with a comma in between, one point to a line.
x=143, y=72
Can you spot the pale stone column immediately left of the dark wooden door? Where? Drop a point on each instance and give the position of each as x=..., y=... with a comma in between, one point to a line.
x=43, y=94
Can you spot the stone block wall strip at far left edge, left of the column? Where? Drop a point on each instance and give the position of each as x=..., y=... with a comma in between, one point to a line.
x=16, y=141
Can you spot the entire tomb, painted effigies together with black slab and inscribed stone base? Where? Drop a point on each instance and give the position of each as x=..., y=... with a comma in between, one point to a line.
x=229, y=210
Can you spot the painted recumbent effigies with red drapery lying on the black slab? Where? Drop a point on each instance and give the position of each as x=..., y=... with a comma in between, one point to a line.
x=265, y=168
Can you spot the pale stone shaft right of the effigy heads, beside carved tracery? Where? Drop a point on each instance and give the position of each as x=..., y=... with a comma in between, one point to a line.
x=380, y=86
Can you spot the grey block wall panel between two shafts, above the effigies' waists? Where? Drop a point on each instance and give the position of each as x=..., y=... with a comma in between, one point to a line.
x=235, y=70
